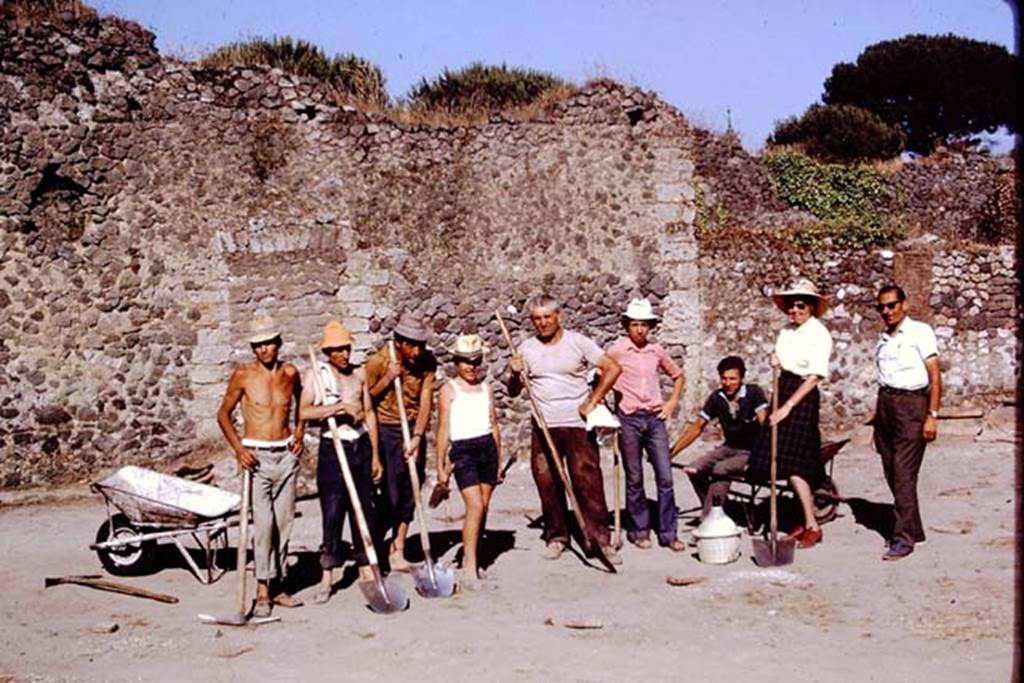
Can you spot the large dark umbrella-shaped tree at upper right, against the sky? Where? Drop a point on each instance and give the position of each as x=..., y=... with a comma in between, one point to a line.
x=936, y=89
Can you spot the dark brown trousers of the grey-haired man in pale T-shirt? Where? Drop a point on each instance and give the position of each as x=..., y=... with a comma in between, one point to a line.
x=579, y=452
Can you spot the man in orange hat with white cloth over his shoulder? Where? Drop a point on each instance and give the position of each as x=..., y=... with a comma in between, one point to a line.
x=348, y=401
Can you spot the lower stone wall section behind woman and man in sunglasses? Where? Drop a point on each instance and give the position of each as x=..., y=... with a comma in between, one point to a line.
x=968, y=294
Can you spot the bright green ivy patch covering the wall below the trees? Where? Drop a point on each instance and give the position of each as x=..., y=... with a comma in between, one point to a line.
x=845, y=200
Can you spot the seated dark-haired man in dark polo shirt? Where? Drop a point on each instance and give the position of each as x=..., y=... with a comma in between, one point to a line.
x=741, y=410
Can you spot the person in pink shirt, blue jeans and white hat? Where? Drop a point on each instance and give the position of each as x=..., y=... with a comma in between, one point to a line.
x=643, y=413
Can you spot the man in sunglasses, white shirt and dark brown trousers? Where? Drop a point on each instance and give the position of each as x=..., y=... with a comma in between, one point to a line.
x=906, y=416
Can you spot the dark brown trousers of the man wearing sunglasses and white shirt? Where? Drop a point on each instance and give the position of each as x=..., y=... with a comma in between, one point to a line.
x=900, y=420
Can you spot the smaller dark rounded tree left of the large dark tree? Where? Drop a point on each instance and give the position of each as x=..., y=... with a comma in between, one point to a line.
x=840, y=134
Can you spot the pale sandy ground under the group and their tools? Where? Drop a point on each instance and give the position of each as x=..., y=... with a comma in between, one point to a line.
x=837, y=614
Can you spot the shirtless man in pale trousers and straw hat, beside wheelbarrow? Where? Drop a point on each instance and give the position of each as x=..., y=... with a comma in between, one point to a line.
x=266, y=389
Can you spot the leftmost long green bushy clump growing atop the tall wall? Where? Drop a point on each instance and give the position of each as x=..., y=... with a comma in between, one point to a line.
x=352, y=77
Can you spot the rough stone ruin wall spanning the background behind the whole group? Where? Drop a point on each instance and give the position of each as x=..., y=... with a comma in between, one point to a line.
x=152, y=209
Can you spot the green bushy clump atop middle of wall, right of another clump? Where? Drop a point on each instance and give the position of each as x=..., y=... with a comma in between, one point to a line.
x=481, y=88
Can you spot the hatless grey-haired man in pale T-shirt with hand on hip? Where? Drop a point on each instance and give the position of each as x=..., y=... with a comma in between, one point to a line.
x=557, y=363
